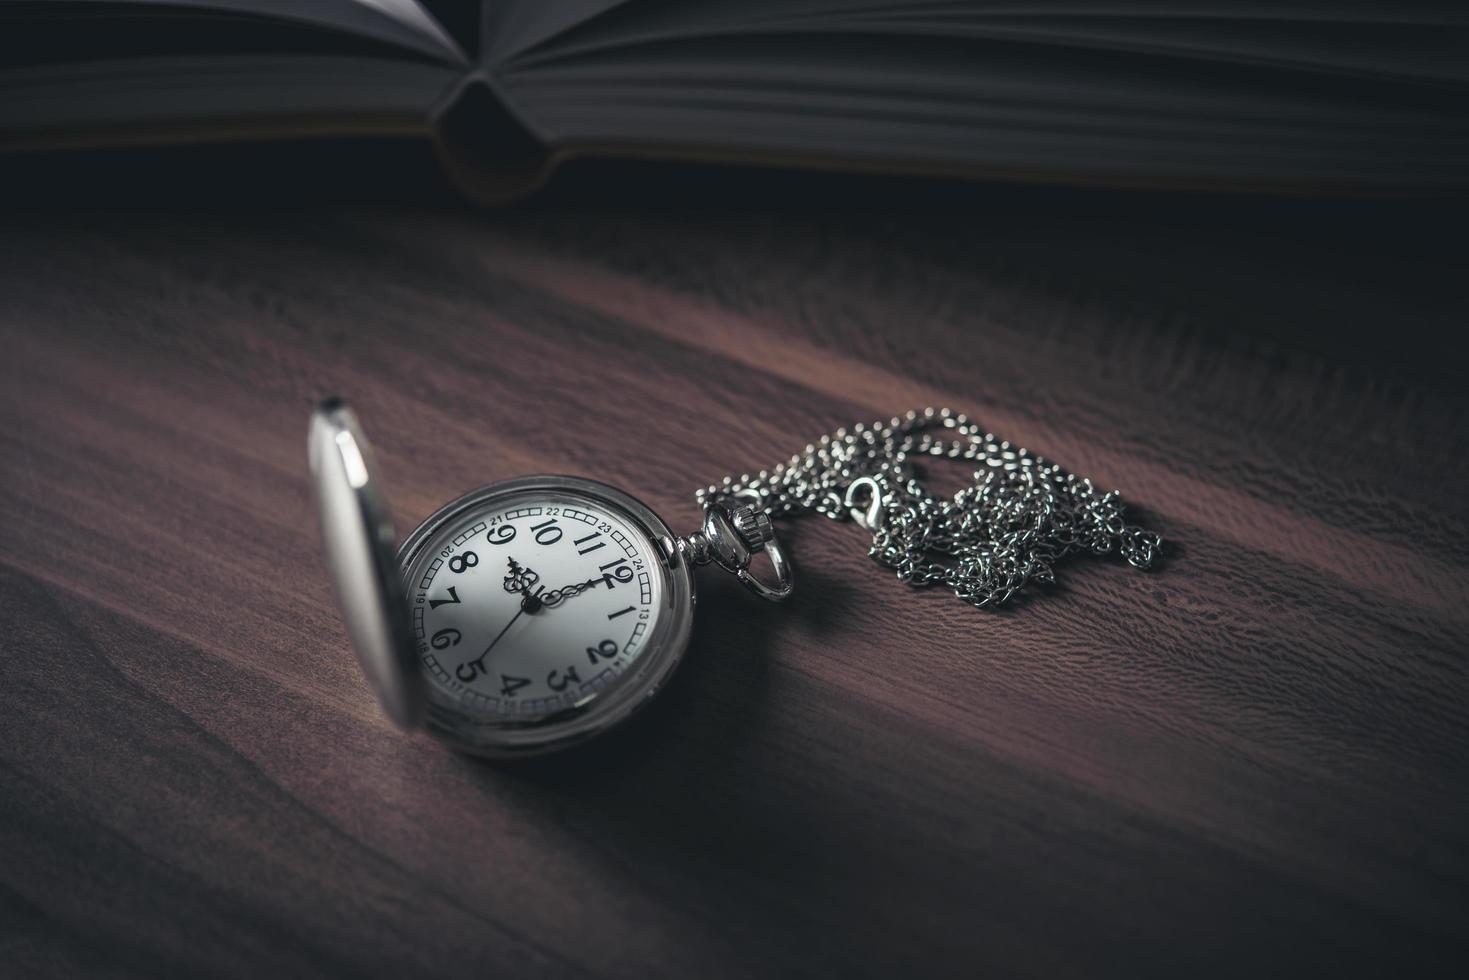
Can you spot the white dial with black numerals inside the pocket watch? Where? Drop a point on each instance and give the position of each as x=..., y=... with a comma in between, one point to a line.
x=534, y=605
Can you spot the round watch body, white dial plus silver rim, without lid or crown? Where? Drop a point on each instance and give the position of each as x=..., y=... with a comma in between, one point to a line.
x=543, y=609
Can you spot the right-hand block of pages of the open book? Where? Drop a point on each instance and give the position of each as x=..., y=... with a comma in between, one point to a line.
x=1370, y=96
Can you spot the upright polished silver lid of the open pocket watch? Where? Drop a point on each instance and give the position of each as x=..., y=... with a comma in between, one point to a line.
x=361, y=559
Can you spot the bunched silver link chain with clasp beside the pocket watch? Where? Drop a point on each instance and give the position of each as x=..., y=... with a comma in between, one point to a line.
x=988, y=543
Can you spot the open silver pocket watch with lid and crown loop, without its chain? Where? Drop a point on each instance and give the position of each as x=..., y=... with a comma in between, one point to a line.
x=525, y=616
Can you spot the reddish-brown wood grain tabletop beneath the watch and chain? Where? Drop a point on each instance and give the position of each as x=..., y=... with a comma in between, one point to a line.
x=1252, y=762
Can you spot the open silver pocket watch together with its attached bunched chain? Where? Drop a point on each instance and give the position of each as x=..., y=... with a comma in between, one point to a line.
x=540, y=612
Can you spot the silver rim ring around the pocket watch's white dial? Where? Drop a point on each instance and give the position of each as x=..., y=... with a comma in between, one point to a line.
x=650, y=672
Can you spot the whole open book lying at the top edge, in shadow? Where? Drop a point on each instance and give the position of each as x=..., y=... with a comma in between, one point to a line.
x=1307, y=95
